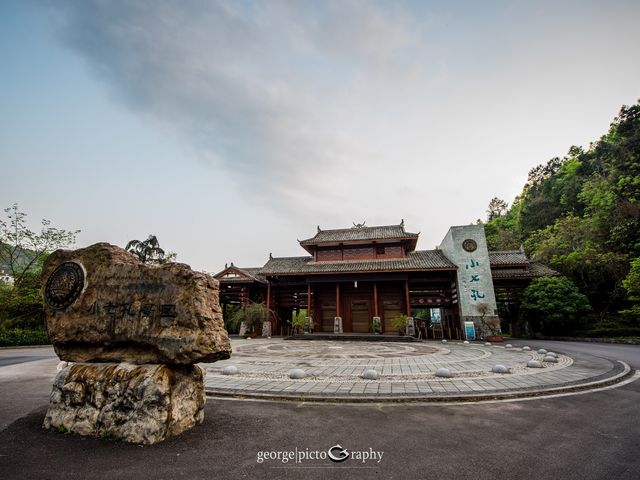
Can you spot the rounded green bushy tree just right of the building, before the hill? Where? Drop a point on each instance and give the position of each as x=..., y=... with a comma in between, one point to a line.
x=553, y=306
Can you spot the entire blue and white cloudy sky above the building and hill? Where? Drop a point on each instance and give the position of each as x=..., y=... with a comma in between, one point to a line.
x=231, y=129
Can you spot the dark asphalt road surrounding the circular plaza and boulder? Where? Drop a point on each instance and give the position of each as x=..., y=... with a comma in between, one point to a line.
x=586, y=436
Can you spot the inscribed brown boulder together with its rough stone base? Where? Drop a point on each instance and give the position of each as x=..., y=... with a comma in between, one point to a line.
x=134, y=333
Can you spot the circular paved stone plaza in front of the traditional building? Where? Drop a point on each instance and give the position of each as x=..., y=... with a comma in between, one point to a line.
x=428, y=371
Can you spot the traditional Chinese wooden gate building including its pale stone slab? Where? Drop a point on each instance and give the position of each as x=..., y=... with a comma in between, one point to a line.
x=363, y=272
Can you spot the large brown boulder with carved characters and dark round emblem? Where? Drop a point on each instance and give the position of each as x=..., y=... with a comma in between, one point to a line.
x=103, y=305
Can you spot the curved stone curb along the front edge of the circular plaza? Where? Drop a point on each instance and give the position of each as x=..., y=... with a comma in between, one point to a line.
x=627, y=372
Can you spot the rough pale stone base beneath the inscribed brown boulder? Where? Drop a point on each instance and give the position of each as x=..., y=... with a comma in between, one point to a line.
x=134, y=403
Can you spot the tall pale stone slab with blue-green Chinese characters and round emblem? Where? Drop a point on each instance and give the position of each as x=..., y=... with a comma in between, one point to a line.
x=475, y=284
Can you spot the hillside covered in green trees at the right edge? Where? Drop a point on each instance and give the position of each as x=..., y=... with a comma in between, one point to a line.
x=581, y=215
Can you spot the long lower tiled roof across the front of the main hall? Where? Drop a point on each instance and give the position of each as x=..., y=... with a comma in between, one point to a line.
x=417, y=260
